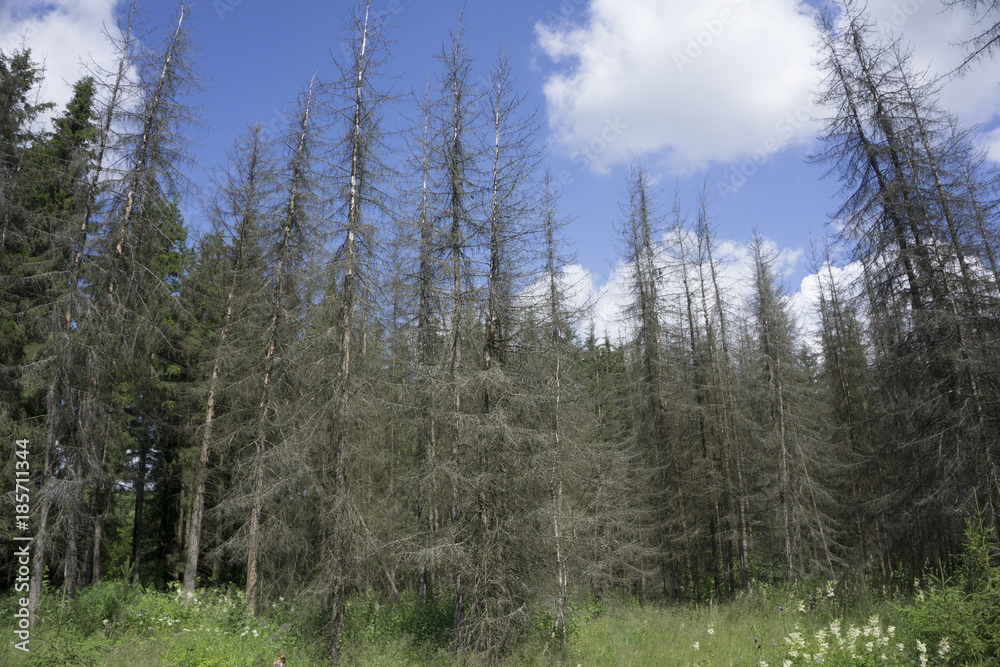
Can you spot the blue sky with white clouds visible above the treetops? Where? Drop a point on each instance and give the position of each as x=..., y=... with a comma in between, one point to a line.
x=715, y=93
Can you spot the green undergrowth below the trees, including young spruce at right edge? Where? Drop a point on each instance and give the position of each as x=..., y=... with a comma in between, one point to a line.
x=945, y=621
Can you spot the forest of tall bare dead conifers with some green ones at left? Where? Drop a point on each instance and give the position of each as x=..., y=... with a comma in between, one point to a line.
x=367, y=373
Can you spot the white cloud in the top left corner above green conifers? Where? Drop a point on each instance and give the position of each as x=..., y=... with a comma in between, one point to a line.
x=59, y=33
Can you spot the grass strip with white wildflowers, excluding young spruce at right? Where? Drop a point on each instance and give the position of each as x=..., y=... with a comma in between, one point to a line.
x=113, y=624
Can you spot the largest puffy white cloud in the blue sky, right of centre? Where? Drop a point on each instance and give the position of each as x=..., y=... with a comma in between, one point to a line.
x=693, y=83
